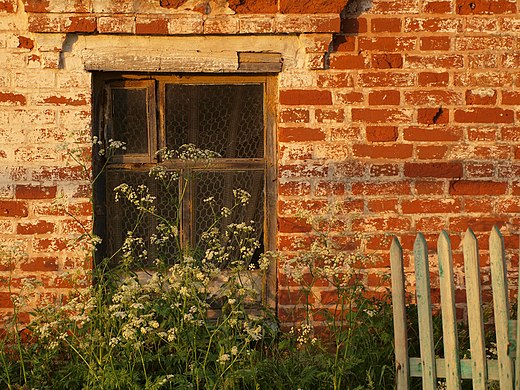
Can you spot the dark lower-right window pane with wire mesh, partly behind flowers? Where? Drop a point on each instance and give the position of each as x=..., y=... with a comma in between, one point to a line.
x=220, y=186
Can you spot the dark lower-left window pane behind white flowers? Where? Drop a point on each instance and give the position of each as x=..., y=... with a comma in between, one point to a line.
x=124, y=217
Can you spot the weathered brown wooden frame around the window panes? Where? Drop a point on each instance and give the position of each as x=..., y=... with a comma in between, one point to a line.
x=155, y=87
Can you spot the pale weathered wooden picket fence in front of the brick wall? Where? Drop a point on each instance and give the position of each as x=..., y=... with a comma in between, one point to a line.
x=506, y=368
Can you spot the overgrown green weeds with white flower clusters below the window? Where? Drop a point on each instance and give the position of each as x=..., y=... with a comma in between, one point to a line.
x=196, y=322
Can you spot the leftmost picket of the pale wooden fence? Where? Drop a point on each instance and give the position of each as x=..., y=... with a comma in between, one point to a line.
x=399, y=314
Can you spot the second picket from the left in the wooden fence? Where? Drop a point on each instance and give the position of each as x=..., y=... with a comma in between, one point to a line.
x=424, y=309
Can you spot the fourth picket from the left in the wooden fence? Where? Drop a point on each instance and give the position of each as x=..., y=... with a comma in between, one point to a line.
x=475, y=316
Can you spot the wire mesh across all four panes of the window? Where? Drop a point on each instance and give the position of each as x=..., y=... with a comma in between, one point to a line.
x=228, y=119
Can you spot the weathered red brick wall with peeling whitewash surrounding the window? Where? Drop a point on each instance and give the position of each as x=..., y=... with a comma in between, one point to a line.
x=404, y=111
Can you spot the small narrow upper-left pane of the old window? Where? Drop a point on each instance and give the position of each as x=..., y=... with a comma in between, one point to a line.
x=129, y=119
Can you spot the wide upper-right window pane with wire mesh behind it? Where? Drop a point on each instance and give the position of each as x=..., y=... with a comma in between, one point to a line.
x=227, y=119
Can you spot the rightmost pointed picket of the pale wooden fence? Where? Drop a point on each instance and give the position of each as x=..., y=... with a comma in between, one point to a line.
x=501, y=307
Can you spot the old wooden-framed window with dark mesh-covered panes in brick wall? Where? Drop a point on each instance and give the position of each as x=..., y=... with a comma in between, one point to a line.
x=230, y=115
